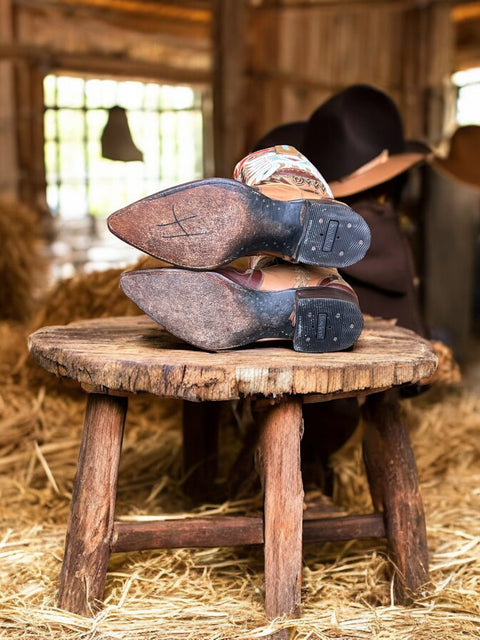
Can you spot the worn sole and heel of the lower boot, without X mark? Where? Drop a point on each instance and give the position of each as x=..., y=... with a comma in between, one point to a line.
x=211, y=312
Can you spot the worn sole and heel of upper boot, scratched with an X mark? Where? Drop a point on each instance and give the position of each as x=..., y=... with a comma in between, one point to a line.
x=208, y=223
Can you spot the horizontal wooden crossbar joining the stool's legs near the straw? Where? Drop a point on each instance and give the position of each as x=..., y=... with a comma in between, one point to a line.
x=229, y=531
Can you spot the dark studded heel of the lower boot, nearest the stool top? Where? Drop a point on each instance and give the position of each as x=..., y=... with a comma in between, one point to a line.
x=325, y=321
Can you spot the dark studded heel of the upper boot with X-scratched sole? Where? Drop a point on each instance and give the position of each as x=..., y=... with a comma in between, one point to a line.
x=334, y=235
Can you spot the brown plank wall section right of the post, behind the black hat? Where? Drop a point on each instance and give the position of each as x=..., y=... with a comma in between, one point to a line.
x=300, y=53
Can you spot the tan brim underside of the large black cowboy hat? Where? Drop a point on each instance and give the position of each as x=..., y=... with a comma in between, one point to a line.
x=392, y=167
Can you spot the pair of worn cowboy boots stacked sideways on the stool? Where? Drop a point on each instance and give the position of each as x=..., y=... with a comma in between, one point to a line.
x=279, y=212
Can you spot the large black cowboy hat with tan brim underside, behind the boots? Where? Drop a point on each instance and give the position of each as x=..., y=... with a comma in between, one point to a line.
x=355, y=139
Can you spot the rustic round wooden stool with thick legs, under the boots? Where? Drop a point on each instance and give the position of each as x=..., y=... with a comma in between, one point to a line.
x=112, y=358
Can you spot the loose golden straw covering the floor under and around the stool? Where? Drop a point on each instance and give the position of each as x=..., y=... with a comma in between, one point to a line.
x=218, y=593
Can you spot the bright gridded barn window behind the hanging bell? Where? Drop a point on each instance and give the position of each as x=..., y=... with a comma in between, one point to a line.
x=165, y=124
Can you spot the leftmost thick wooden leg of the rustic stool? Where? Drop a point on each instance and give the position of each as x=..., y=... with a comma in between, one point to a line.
x=90, y=528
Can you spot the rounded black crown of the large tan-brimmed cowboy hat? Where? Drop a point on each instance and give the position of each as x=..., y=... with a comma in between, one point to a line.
x=351, y=129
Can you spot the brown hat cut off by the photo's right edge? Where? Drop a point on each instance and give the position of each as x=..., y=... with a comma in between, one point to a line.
x=462, y=160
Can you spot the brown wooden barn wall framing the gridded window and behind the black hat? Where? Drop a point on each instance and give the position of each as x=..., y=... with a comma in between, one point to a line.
x=266, y=61
